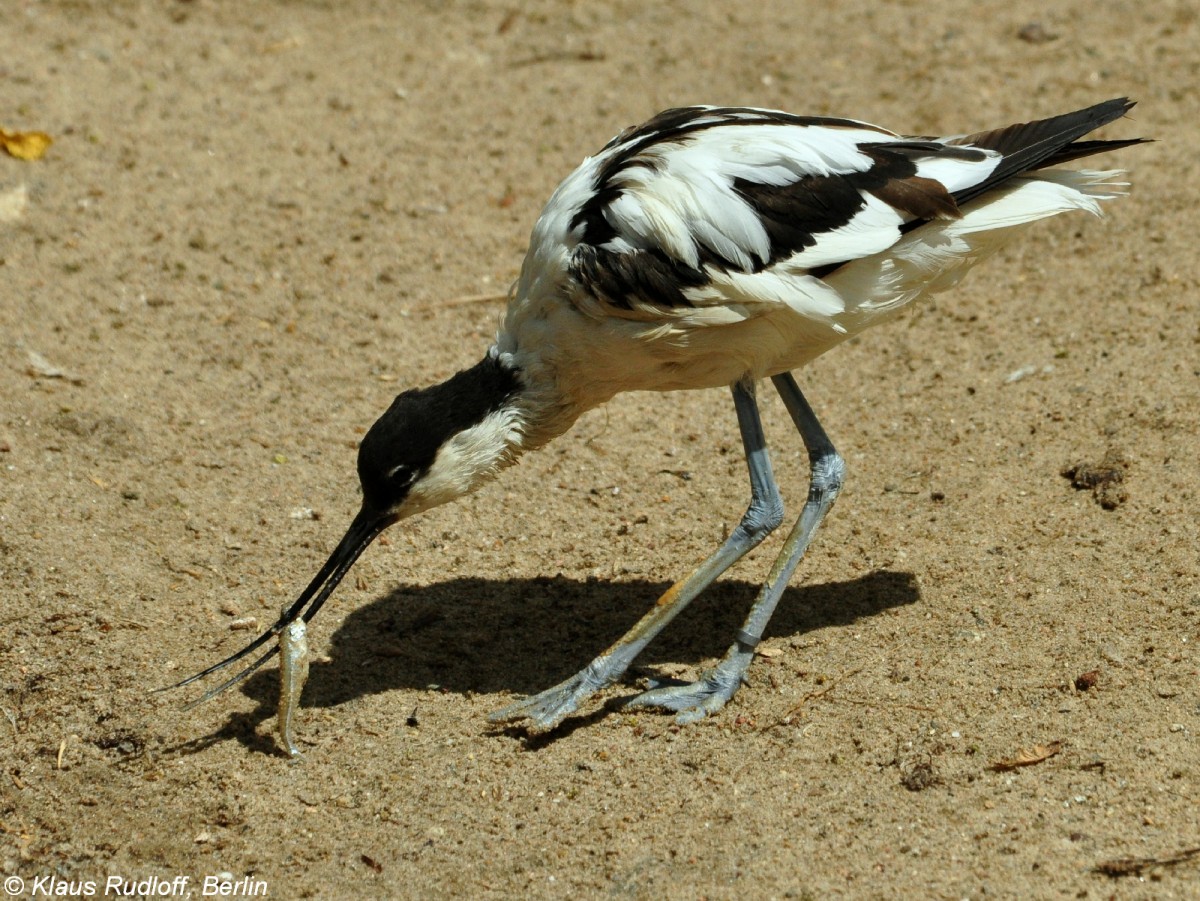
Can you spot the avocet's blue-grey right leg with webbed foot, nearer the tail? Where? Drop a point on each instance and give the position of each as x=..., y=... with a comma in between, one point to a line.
x=718, y=686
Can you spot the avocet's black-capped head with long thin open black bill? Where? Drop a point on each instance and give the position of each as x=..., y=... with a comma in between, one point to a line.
x=431, y=446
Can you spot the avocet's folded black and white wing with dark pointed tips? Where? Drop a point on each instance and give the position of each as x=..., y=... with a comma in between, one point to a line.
x=706, y=207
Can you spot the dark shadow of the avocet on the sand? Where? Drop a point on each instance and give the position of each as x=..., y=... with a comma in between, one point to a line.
x=520, y=636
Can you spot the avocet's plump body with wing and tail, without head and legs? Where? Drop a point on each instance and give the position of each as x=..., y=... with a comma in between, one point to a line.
x=710, y=244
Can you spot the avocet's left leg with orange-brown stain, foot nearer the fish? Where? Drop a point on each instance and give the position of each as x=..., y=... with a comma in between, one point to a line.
x=765, y=514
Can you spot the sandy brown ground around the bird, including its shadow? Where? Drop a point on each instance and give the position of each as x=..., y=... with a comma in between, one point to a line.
x=260, y=221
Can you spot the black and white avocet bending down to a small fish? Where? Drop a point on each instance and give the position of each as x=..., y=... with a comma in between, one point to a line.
x=712, y=247
